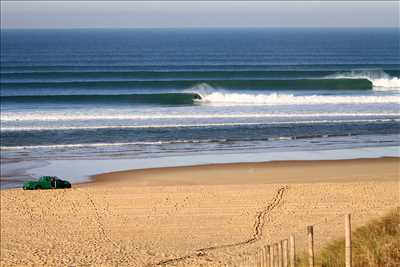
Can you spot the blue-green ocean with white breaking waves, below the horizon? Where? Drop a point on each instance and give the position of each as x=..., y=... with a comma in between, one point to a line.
x=89, y=94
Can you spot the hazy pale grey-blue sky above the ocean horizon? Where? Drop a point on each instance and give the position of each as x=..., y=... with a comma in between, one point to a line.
x=130, y=14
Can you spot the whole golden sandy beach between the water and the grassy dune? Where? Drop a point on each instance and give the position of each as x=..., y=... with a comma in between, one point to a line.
x=213, y=215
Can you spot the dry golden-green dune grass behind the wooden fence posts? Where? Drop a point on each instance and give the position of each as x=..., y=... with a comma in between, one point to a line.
x=376, y=244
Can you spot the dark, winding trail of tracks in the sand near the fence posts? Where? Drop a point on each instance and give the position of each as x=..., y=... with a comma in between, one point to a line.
x=256, y=233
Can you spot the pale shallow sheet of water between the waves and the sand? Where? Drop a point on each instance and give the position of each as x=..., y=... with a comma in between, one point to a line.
x=80, y=171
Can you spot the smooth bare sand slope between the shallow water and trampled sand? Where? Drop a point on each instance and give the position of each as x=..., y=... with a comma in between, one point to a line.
x=270, y=172
